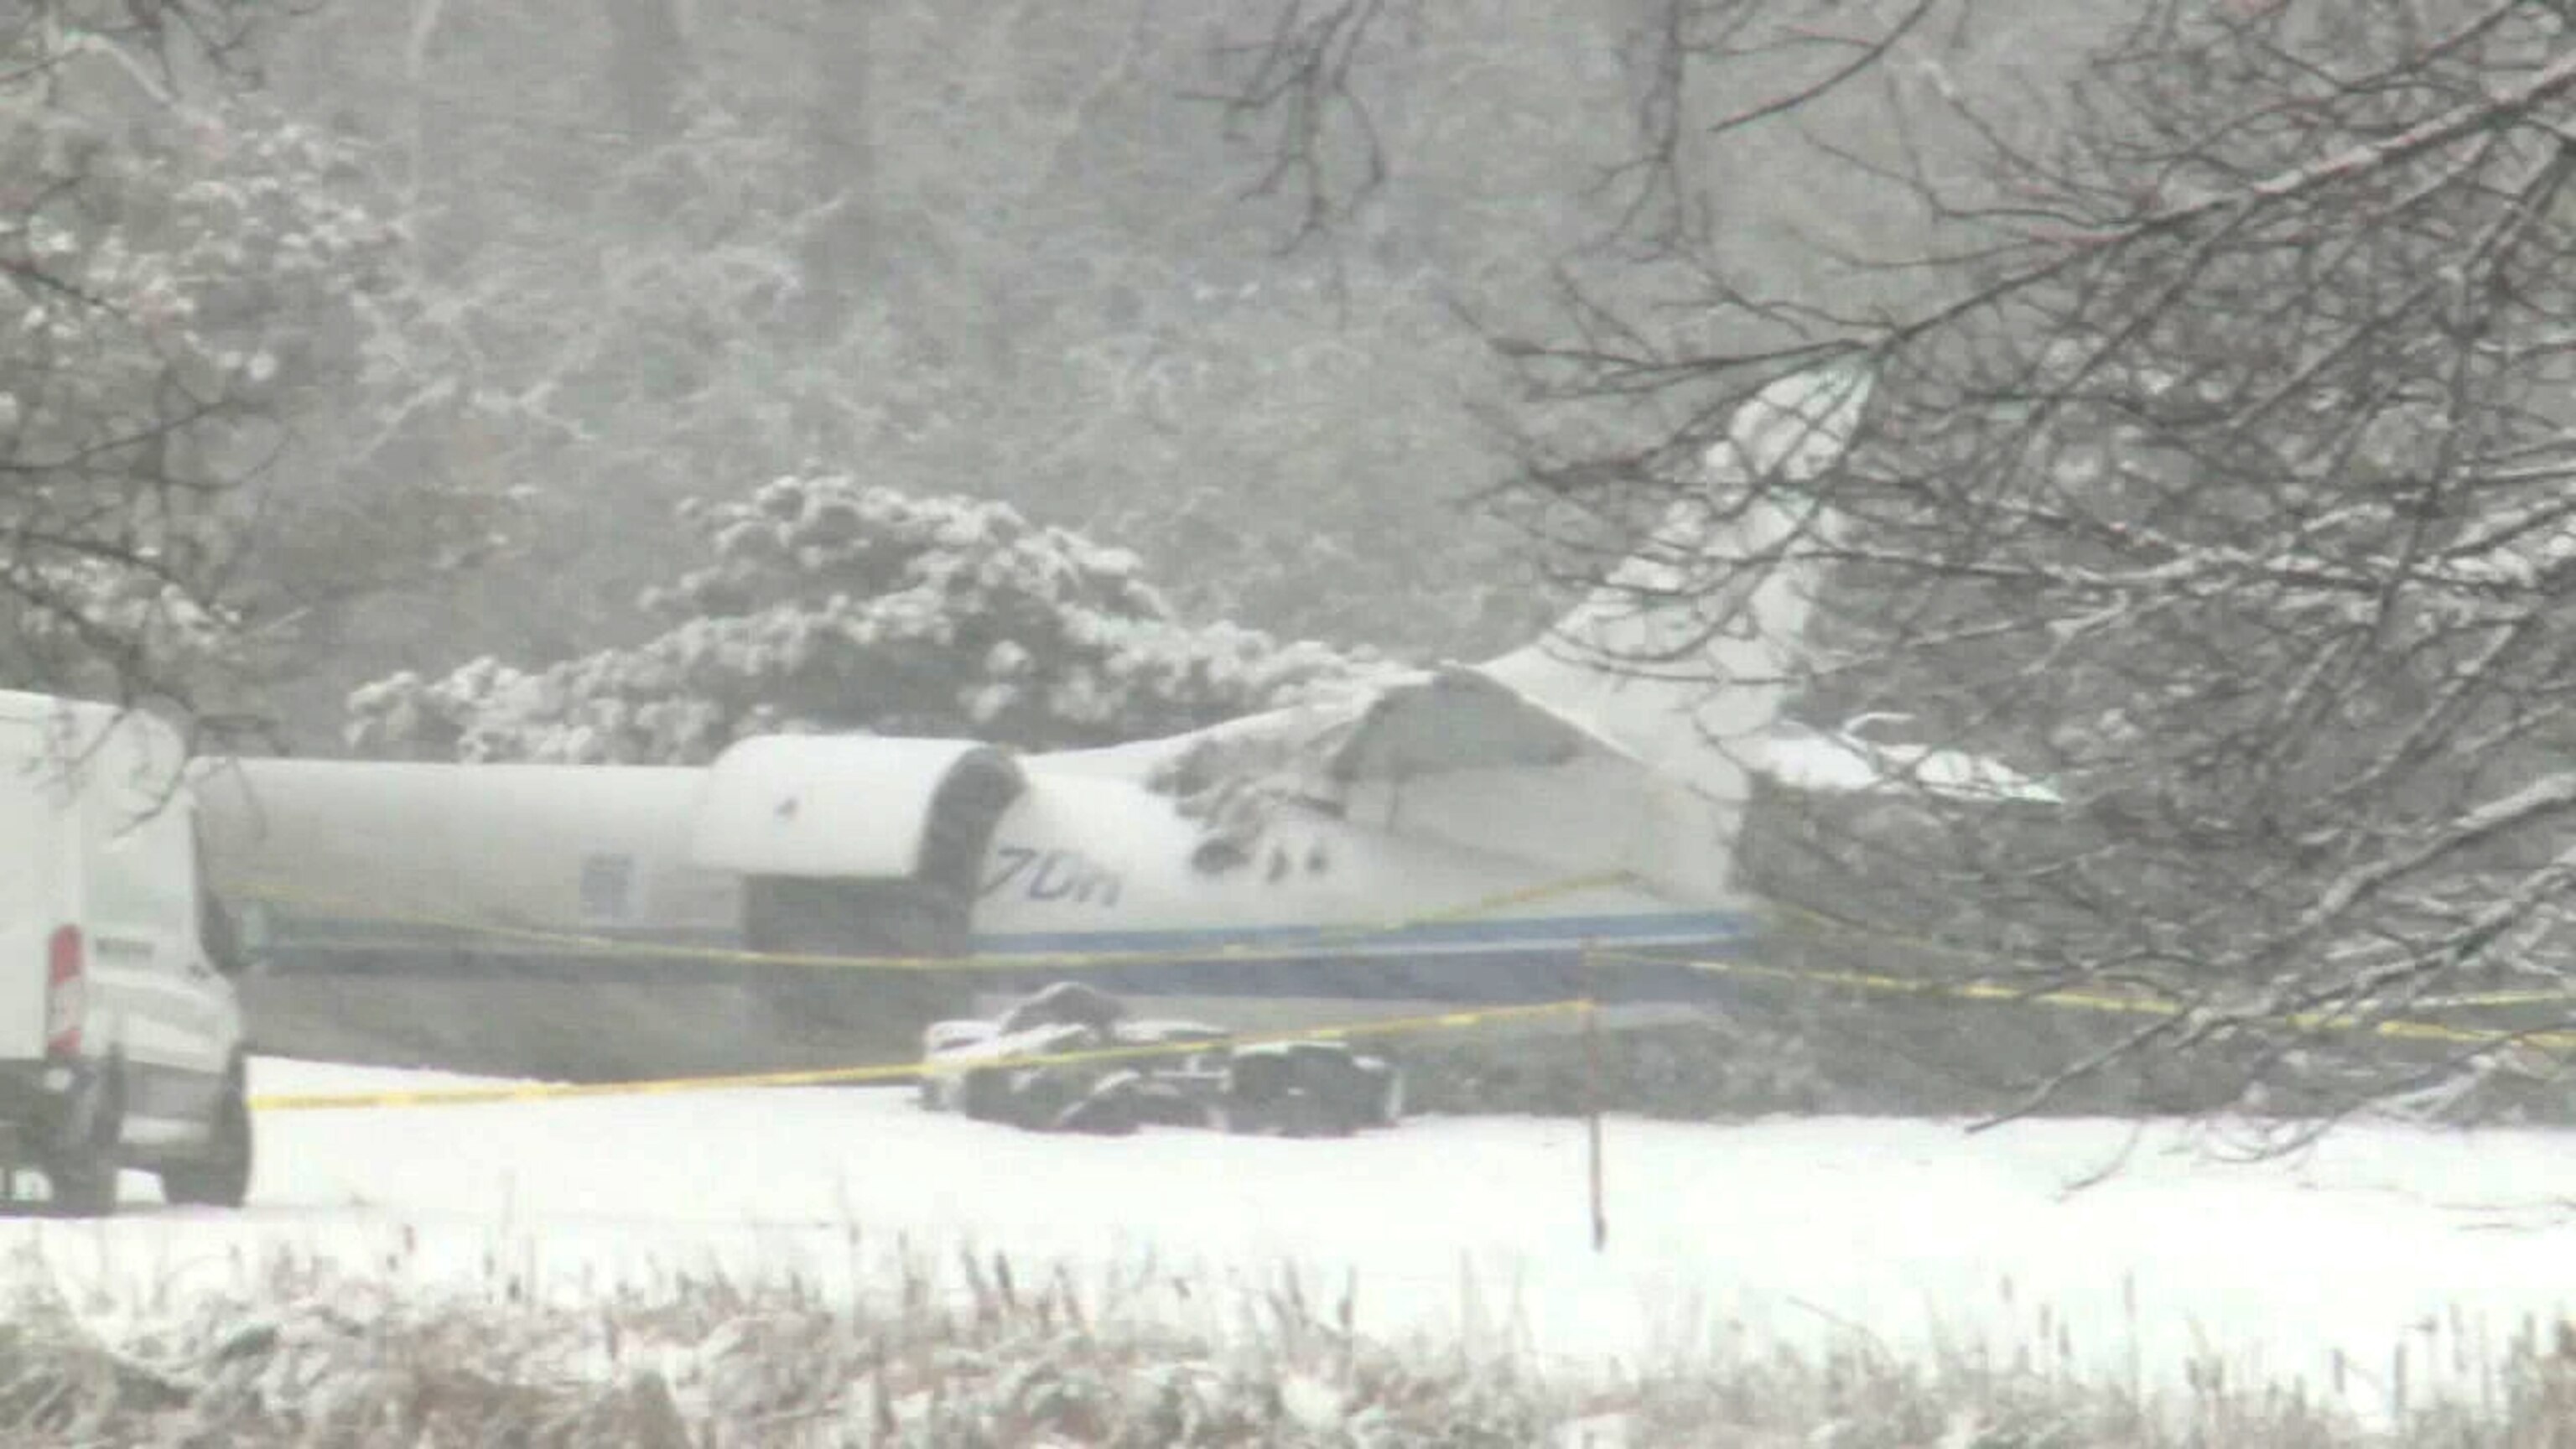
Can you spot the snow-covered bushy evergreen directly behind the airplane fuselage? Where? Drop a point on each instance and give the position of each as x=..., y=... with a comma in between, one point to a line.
x=833, y=605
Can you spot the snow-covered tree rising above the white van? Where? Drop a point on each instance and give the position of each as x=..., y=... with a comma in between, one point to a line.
x=184, y=272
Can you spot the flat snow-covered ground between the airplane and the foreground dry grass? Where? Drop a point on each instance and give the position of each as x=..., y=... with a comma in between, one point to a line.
x=1915, y=1234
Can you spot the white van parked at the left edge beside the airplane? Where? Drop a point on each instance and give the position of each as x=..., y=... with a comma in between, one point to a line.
x=120, y=1027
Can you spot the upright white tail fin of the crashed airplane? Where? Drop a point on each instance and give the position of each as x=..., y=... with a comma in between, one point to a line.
x=1683, y=654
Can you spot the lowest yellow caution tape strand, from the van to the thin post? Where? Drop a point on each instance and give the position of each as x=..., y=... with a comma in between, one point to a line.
x=908, y=1071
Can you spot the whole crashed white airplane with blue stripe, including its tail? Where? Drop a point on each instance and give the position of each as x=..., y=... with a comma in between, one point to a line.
x=1454, y=834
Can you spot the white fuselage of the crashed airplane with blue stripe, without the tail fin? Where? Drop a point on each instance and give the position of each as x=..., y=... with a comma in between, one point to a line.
x=560, y=922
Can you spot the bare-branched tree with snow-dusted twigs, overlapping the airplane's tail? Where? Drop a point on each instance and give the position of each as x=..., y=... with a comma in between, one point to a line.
x=2217, y=468
